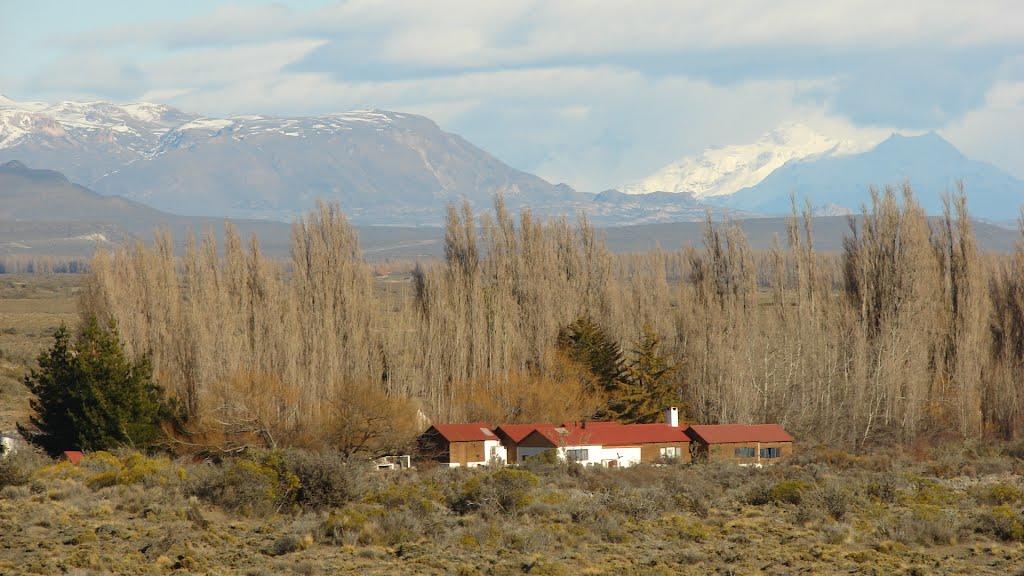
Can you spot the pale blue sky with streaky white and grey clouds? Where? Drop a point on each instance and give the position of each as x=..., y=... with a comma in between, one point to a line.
x=592, y=94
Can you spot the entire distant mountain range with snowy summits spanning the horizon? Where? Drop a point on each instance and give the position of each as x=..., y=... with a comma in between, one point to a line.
x=403, y=170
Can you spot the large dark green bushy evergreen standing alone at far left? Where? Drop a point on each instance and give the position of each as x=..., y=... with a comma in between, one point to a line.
x=90, y=396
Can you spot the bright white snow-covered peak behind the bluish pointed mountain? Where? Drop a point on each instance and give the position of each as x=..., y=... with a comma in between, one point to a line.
x=721, y=172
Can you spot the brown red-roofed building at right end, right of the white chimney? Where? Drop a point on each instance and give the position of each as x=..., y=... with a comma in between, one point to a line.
x=744, y=444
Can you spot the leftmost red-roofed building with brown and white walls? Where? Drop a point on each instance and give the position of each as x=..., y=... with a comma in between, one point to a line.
x=466, y=445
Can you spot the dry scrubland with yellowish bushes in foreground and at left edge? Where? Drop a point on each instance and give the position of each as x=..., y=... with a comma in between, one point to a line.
x=945, y=509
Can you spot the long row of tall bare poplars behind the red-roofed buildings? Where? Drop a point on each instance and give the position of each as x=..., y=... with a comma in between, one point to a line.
x=911, y=332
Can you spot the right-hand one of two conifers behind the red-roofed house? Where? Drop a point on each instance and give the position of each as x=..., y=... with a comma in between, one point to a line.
x=649, y=387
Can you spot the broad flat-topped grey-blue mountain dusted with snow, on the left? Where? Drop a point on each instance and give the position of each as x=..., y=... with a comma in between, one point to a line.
x=382, y=167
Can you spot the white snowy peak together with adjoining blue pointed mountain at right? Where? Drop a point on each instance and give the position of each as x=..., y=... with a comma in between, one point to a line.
x=834, y=176
